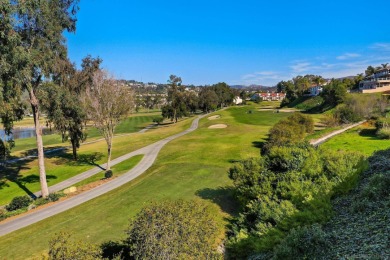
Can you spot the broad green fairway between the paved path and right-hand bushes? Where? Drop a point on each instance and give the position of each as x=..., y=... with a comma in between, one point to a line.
x=193, y=166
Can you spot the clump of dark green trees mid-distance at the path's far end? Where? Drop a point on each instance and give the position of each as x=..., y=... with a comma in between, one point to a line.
x=180, y=101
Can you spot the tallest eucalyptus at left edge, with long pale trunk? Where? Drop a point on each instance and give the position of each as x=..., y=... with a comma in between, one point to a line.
x=32, y=40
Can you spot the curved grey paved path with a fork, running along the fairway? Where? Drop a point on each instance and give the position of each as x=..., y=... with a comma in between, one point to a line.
x=150, y=154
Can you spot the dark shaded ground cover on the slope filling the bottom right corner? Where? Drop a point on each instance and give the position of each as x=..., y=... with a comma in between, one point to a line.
x=359, y=227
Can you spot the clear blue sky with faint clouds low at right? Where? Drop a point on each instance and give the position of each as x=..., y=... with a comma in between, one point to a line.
x=237, y=42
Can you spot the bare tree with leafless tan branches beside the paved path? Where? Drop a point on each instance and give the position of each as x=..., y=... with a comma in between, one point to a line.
x=107, y=104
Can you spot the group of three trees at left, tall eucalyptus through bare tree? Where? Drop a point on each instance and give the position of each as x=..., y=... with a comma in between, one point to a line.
x=33, y=60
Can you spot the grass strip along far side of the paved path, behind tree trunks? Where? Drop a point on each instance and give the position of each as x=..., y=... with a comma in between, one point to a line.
x=23, y=177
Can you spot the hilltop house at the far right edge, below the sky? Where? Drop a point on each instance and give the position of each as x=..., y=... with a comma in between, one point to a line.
x=377, y=82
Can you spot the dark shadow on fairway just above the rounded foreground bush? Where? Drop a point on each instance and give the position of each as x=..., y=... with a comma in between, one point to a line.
x=223, y=197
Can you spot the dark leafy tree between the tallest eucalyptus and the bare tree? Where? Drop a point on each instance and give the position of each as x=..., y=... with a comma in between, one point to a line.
x=62, y=99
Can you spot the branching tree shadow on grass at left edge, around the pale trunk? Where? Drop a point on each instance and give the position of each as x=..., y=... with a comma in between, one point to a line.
x=11, y=173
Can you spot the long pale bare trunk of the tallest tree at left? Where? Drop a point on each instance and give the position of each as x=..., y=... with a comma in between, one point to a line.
x=38, y=131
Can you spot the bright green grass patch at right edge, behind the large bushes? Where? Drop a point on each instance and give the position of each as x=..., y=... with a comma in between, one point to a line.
x=361, y=139
